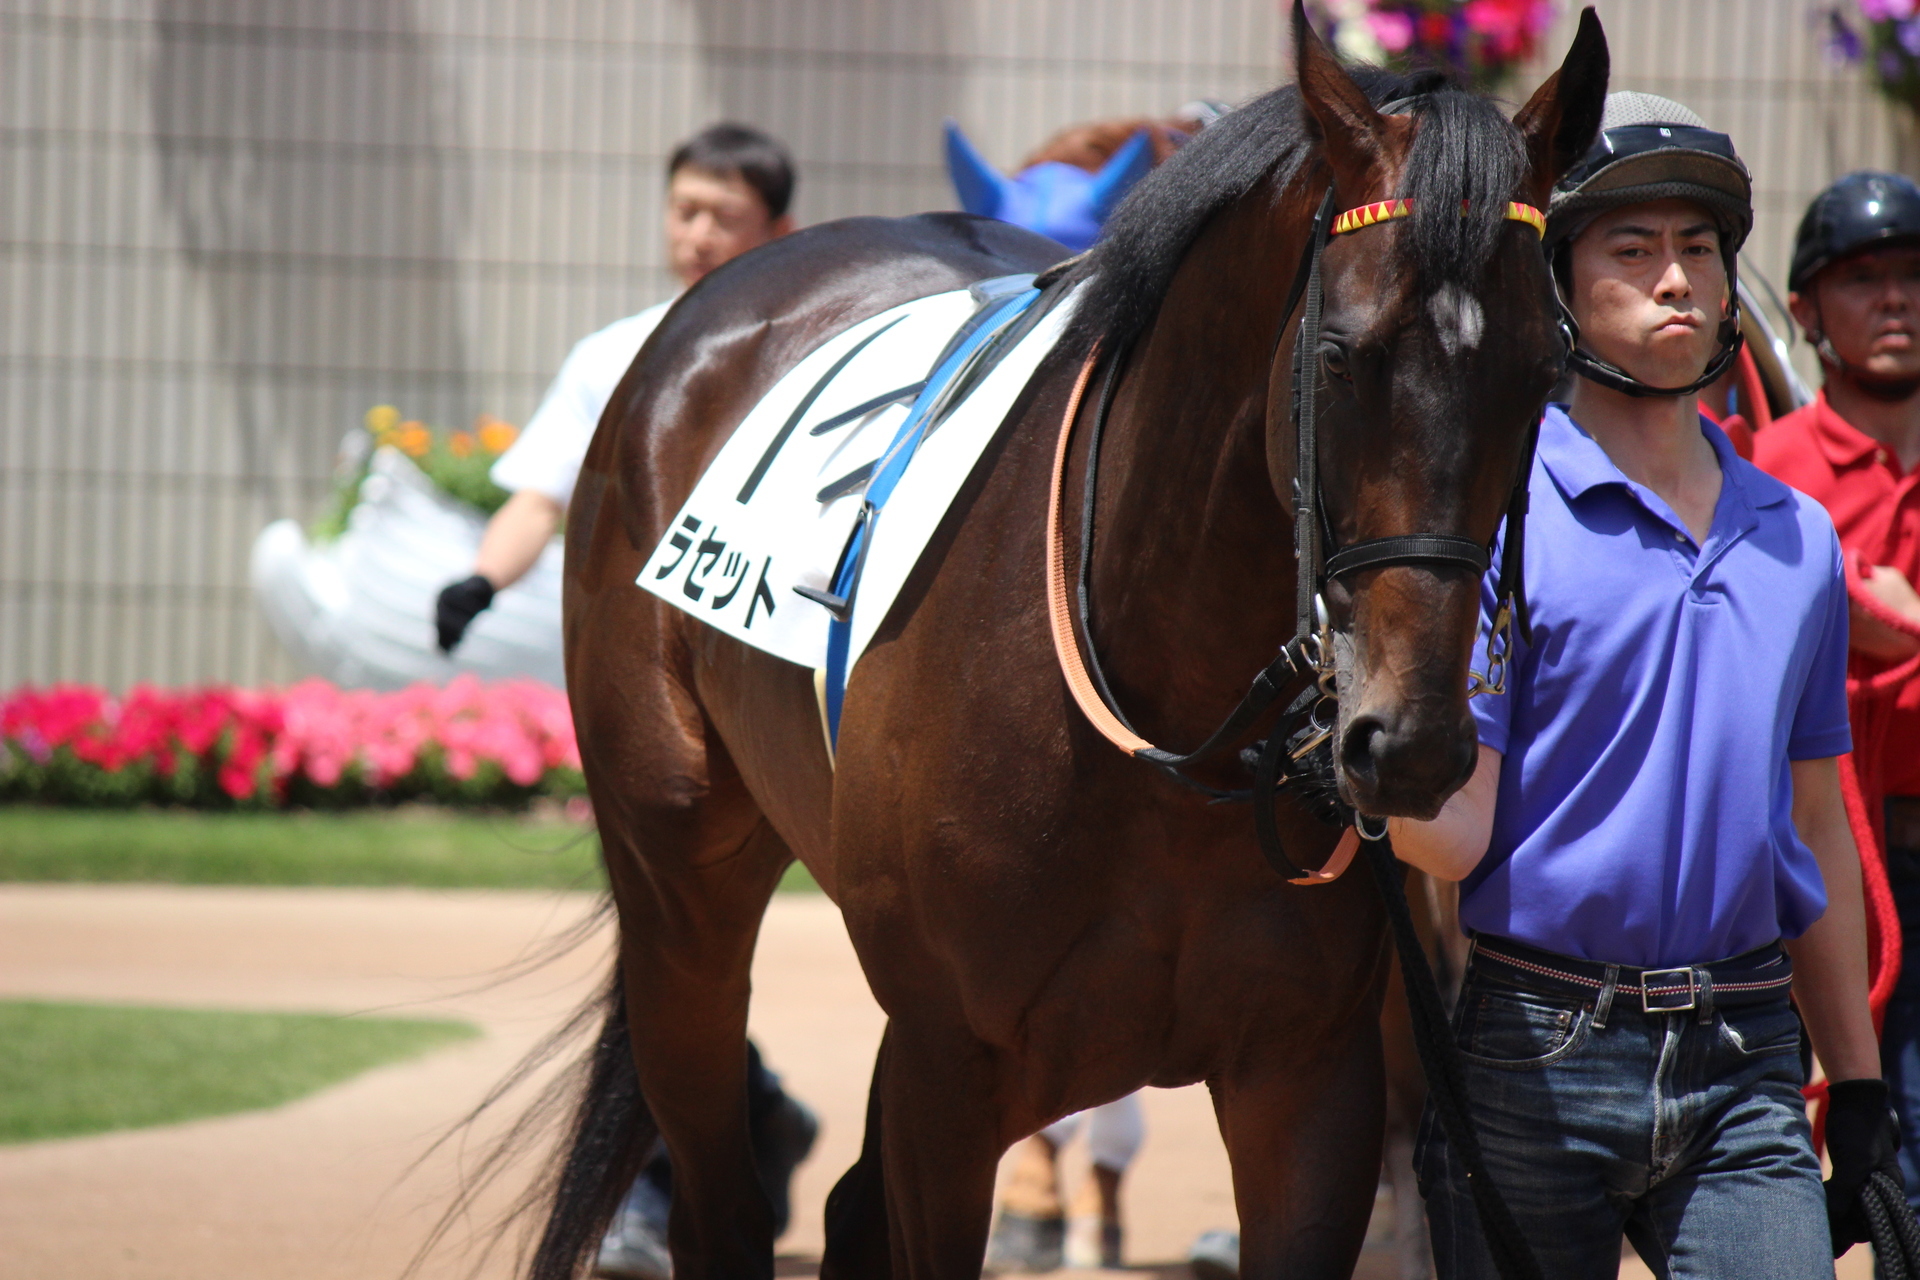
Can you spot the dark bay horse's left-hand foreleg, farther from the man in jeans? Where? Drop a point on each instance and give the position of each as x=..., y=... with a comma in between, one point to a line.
x=942, y=1147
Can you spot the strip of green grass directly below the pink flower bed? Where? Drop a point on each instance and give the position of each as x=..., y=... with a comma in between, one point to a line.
x=425, y=847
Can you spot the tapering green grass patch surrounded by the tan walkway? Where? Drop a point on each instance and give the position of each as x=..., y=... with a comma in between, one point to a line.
x=84, y=1070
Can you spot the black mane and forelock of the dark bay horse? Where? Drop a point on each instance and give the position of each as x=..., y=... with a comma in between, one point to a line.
x=1464, y=151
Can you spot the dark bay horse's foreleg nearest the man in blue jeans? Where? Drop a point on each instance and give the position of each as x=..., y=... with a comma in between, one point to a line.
x=1305, y=1141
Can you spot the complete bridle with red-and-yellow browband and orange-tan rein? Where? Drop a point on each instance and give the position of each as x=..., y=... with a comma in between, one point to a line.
x=1307, y=663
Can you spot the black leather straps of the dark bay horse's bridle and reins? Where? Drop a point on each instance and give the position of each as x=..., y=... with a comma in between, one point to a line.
x=1305, y=667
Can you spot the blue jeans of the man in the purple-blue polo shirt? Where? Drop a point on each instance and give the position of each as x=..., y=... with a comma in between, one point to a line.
x=1687, y=1137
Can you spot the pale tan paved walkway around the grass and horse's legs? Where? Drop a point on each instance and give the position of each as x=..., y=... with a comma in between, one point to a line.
x=343, y=1185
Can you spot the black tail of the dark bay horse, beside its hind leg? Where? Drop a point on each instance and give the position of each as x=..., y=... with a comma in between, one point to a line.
x=608, y=1143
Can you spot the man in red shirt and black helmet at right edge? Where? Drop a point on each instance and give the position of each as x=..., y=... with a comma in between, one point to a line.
x=1856, y=289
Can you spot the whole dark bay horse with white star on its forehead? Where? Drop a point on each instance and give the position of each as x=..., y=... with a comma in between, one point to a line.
x=1047, y=922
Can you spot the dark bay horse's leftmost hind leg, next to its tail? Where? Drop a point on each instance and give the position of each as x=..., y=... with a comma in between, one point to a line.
x=692, y=884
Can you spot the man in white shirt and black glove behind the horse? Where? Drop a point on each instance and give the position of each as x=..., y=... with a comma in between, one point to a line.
x=729, y=191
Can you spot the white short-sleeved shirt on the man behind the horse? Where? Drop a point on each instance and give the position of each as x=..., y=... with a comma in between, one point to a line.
x=552, y=446
